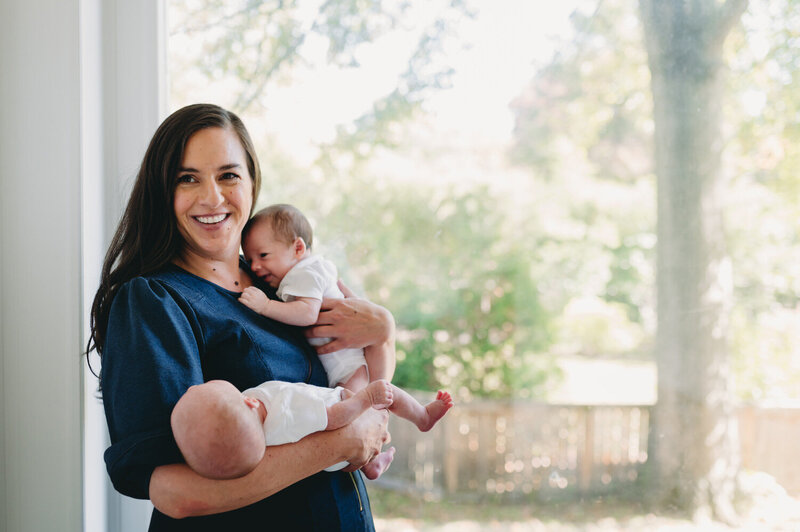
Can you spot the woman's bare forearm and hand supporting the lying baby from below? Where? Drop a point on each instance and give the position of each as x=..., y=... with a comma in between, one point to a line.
x=179, y=492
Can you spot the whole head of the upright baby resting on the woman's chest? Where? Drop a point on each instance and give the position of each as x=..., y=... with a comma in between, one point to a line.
x=274, y=240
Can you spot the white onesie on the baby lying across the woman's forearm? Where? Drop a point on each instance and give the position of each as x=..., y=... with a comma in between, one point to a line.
x=295, y=410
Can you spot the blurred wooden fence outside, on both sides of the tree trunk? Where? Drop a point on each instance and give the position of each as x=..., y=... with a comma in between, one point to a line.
x=524, y=449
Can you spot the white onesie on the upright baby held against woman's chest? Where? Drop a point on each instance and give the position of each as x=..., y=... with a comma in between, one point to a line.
x=316, y=277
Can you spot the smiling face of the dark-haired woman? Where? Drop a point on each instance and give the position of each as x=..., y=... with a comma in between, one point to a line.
x=213, y=195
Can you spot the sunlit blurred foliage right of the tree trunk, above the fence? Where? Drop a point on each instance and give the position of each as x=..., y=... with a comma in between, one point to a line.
x=763, y=200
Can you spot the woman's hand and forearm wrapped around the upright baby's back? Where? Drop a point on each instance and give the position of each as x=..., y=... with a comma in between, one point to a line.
x=358, y=323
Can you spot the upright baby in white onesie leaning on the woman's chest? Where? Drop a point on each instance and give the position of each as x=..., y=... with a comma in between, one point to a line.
x=277, y=244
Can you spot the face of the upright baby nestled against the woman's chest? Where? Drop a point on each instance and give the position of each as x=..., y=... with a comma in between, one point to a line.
x=269, y=258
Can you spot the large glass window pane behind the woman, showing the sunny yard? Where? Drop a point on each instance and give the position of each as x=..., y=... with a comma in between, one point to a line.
x=583, y=217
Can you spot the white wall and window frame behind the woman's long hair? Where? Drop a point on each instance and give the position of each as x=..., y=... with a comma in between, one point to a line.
x=81, y=91
